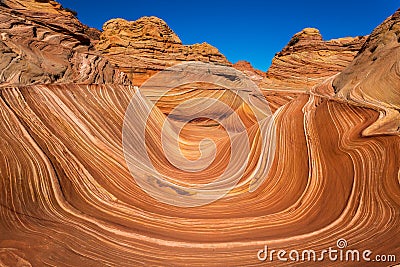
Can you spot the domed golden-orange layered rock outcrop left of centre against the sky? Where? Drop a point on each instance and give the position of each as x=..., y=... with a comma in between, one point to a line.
x=143, y=47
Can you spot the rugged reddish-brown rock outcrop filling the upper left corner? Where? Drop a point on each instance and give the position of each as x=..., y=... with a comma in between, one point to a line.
x=41, y=42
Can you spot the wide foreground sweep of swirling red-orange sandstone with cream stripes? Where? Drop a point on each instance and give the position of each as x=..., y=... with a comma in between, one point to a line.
x=67, y=197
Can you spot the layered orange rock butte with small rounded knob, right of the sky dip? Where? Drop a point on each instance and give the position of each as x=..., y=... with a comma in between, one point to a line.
x=307, y=60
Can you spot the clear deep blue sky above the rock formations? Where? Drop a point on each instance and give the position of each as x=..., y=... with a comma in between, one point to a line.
x=252, y=30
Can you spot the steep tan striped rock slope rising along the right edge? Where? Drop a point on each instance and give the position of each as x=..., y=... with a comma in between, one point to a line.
x=373, y=78
